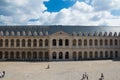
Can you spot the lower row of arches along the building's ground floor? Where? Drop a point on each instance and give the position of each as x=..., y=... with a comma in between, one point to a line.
x=48, y=55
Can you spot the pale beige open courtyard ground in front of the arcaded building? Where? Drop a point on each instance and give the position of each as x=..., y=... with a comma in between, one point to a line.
x=68, y=70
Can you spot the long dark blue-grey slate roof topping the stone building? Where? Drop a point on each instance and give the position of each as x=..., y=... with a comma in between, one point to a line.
x=55, y=28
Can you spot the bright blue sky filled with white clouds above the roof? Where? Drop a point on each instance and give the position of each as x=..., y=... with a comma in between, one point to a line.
x=60, y=12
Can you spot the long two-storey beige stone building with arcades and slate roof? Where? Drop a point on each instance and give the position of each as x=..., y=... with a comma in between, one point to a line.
x=56, y=42
